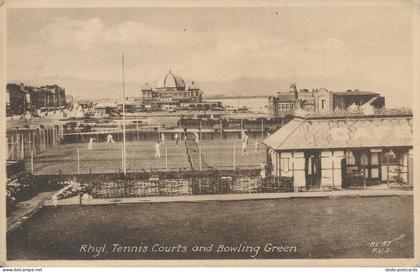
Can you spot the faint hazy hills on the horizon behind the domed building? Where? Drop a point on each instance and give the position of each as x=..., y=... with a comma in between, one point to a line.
x=243, y=86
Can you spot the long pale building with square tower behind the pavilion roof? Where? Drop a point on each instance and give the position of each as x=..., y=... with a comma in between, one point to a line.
x=320, y=101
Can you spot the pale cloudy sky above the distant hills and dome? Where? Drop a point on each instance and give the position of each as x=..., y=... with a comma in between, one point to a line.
x=217, y=44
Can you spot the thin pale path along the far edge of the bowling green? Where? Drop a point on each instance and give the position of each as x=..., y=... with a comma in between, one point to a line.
x=235, y=197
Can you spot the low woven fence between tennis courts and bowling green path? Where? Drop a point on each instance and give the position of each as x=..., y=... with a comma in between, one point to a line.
x=176, y=183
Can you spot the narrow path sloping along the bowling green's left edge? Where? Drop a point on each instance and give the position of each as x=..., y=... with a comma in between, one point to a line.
x=24, y=210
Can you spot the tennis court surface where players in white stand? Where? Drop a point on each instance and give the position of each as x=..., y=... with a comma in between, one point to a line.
x=140, y=155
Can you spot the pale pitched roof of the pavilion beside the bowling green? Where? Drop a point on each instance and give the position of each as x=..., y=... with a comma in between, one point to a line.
x=383, y=131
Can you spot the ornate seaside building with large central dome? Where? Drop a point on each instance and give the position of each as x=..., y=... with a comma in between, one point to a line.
x=170, y=90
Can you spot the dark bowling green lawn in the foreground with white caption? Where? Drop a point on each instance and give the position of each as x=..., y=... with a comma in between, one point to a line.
x=317, y=227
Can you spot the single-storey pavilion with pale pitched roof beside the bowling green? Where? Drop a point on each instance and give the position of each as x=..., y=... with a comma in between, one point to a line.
x=340, y=151
